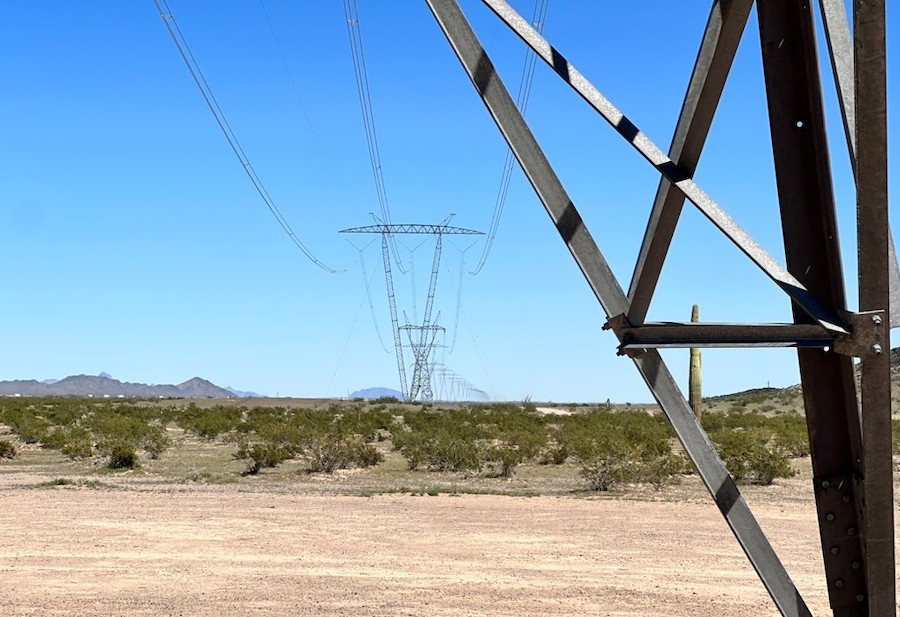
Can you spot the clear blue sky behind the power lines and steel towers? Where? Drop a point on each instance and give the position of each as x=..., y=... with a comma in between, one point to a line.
x=135, y=244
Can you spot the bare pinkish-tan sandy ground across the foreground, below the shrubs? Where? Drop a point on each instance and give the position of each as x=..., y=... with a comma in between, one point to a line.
x=227, y=550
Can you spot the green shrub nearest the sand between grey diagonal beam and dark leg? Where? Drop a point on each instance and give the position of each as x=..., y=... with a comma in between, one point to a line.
x=751, y=456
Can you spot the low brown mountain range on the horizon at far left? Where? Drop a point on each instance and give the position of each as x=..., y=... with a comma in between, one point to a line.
x=105, y=386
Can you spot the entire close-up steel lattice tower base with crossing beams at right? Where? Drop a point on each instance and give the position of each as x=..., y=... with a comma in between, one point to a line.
x=849, y=430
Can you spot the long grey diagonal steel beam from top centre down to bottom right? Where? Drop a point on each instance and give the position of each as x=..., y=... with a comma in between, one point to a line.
x=611, y=296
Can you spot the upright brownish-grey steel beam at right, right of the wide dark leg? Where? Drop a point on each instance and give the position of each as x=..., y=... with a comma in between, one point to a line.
x=870, y=64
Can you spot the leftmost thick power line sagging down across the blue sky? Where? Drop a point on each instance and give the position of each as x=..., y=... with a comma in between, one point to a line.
x=194, y=68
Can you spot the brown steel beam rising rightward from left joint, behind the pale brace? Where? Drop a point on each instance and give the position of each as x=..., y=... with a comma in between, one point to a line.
x=720, y=41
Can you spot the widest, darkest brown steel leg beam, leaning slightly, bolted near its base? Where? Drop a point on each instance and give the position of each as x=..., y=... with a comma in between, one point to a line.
x=803, y=178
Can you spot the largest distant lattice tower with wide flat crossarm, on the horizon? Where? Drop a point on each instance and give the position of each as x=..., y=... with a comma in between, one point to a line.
x=421, y=336
